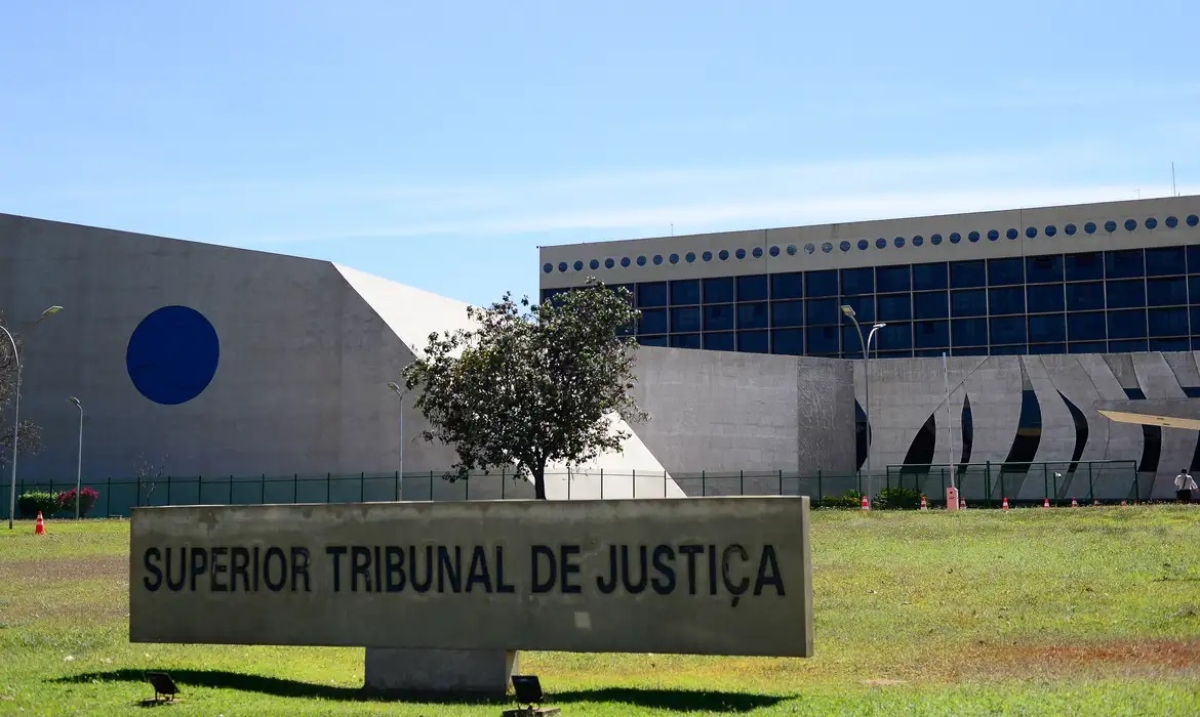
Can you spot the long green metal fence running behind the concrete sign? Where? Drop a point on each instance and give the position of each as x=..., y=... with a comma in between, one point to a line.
x=980, y=484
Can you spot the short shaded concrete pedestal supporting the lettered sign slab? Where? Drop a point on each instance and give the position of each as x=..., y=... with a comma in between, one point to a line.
x=484, y=673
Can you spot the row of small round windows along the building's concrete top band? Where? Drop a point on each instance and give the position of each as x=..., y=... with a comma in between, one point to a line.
x=1049, y=231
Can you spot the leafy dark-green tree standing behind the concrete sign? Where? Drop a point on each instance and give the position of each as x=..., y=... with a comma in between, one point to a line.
x=531, y=384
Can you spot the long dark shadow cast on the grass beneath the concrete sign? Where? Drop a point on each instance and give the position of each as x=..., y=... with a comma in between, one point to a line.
x=680, y=701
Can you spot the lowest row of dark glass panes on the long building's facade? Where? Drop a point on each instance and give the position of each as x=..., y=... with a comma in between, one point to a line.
x=823, y=342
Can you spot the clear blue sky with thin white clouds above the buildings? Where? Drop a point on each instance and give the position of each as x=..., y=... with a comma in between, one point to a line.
x=440, y=143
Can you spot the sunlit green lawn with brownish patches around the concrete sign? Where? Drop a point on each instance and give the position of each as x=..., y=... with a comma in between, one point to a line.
x=1064, y=612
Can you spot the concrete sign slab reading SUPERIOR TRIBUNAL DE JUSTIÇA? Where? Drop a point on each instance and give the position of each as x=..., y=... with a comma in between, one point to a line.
x=711, y=576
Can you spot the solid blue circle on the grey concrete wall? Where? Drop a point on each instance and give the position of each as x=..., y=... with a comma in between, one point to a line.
x=173, y=356
